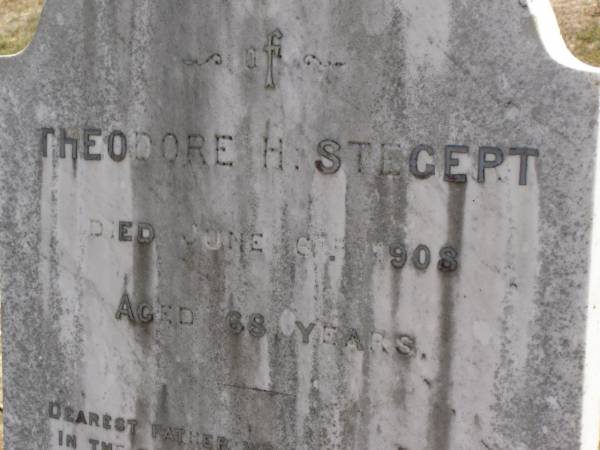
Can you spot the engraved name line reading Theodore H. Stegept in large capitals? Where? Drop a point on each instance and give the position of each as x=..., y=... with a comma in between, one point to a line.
x=452, y=163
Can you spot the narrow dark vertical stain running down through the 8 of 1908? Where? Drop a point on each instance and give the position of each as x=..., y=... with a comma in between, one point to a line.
x=441, y=412
